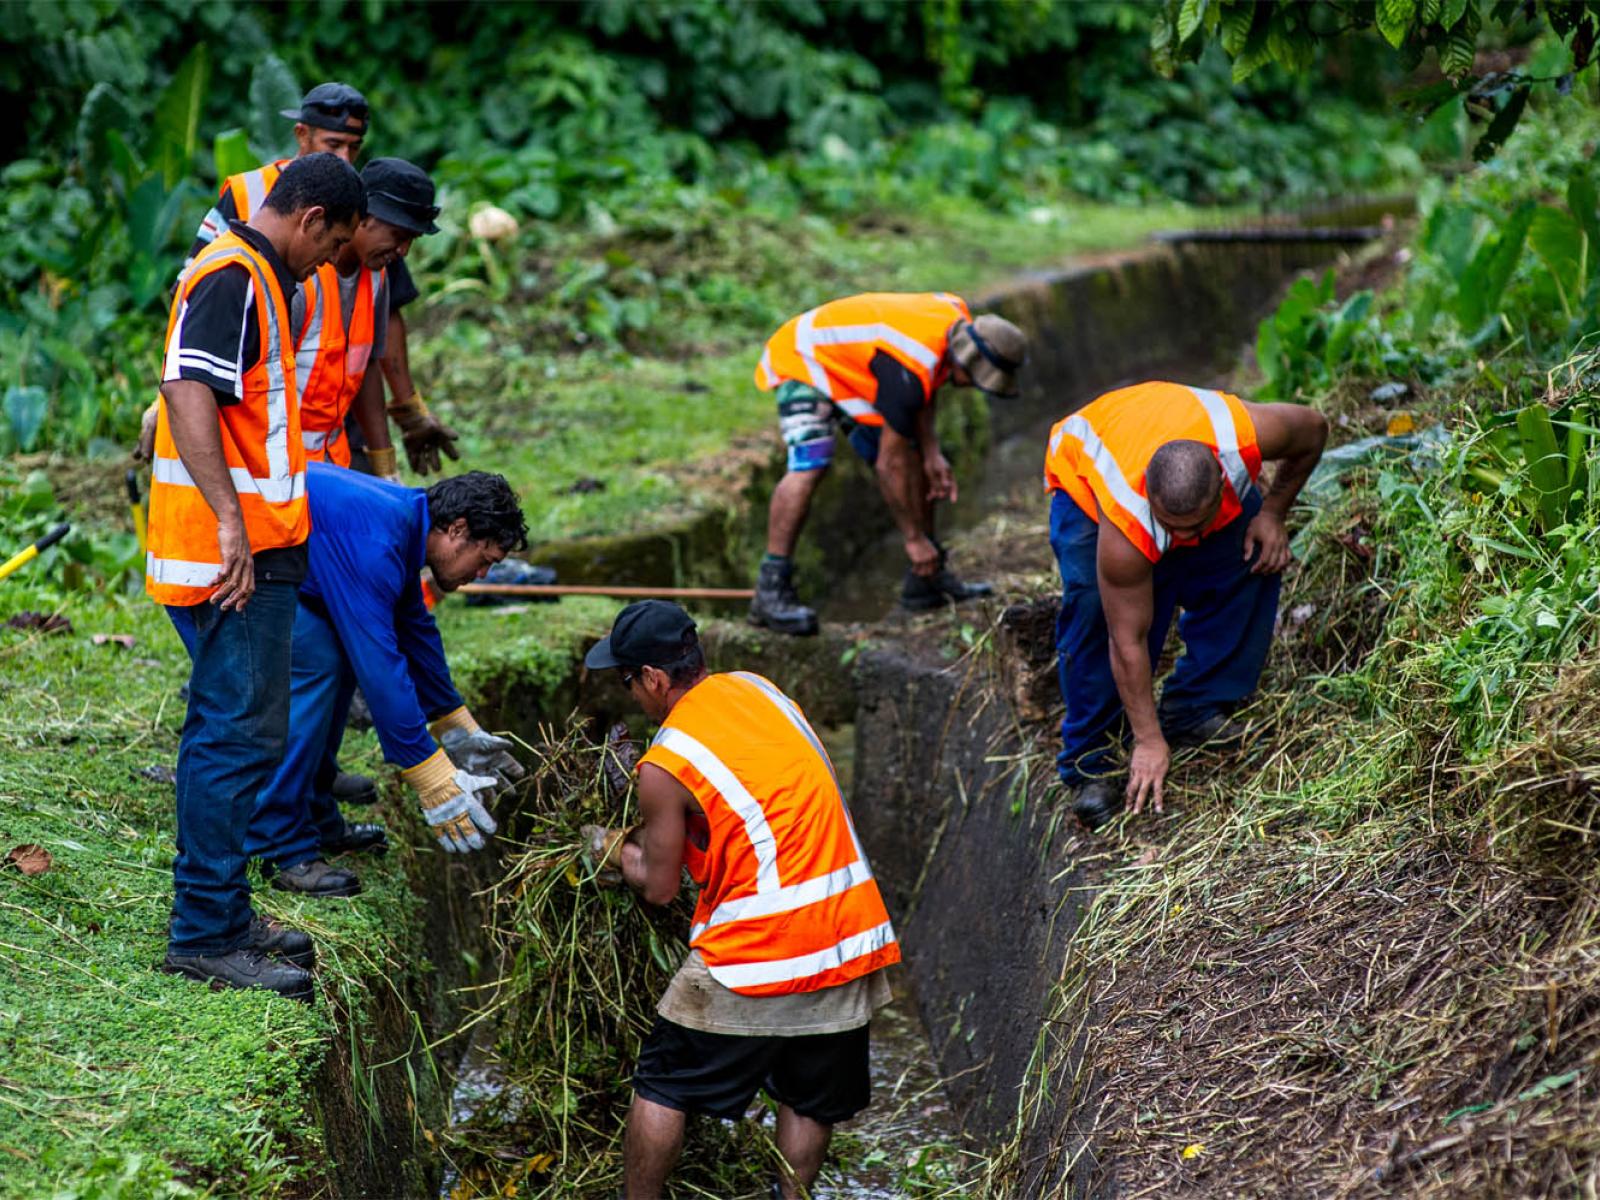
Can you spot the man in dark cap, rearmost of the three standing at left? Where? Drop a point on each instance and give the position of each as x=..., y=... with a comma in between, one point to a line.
x=335, y=118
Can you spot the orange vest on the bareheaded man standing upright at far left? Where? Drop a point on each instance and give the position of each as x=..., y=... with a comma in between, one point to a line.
x=262, y=442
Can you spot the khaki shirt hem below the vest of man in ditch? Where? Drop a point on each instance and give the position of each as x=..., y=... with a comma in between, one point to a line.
x=695, y=1001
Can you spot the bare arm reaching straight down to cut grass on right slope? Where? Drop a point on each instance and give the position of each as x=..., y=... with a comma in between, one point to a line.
x=1129, y=601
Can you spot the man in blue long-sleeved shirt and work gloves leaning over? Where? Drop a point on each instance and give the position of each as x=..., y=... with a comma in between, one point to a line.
x=364, y=622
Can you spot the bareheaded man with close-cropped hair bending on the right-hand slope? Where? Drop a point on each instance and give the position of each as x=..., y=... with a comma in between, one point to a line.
x=1158, y=505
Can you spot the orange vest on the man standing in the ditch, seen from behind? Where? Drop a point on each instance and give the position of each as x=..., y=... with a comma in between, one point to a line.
x=788, y=902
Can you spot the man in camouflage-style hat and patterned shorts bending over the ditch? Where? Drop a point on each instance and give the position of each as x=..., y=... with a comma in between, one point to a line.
x=873, y=366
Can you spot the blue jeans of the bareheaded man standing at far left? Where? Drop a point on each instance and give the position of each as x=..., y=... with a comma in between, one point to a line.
x=233, y=738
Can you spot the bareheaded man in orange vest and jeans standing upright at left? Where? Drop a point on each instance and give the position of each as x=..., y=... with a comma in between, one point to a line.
x=228, y=553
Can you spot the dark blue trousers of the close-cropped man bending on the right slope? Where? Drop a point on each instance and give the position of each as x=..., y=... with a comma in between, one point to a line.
x=1226, y=626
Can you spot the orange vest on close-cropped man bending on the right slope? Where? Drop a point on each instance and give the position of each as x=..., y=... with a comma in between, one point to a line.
x=1102, y=452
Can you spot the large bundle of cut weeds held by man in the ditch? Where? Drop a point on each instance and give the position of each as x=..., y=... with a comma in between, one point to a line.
x=583, y=964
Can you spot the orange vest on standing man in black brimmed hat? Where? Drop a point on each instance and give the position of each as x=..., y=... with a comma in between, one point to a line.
x=330, y=361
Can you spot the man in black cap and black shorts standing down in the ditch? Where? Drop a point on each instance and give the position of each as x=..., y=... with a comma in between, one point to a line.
x=790, y=938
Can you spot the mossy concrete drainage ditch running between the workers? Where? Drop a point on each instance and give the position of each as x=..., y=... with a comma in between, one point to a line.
x=985, y=887
